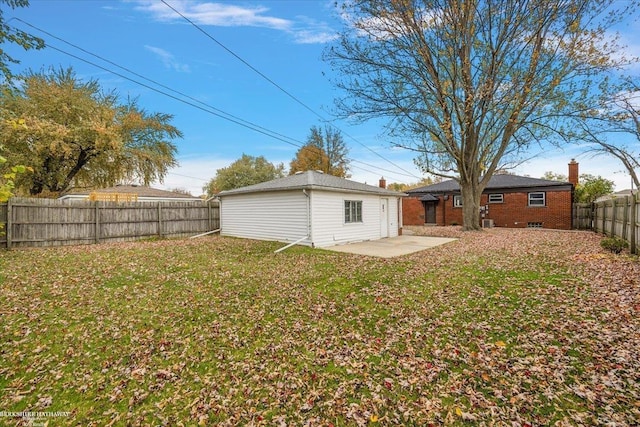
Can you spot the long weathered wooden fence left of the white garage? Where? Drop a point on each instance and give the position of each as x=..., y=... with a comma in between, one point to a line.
x=46, y=222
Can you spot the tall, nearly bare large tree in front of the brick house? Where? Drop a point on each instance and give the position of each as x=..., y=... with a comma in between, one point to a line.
x=471, y=85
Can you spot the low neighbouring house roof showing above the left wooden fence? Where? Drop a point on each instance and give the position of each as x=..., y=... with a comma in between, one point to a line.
x=130, y=193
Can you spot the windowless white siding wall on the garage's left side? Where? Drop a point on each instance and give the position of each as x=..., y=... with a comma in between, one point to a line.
x=280, y=216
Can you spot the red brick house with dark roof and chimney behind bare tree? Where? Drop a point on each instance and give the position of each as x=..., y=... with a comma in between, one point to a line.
x=508, y=201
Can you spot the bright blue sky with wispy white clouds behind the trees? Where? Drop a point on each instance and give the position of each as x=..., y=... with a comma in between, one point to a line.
x=283, y=40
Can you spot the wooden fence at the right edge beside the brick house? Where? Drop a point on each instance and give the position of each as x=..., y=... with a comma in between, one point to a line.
x=615, y=217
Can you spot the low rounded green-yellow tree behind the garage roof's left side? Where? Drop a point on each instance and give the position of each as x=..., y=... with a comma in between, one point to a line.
x=247, y=170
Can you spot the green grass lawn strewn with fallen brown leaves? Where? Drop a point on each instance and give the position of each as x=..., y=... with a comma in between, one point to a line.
x=502, y=327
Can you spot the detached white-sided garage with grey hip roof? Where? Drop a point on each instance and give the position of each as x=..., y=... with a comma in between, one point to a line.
x=311, y=208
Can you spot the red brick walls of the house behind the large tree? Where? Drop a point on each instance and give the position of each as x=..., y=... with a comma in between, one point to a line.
x=514, y=212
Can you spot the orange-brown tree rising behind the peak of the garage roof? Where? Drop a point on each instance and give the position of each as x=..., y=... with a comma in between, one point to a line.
x=325, y=151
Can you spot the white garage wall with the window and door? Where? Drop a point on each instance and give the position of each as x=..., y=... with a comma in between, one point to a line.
x=329, y=227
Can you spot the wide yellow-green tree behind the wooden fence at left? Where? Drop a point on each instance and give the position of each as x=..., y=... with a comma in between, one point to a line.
x=74, y=135
